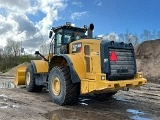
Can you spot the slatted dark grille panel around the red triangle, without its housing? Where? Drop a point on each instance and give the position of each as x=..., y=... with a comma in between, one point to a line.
x=124, y=66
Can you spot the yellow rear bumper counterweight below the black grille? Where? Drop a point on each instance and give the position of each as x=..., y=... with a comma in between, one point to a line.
x=98, y=85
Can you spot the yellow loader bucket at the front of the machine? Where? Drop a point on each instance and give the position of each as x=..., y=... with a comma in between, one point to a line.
x=20, y=75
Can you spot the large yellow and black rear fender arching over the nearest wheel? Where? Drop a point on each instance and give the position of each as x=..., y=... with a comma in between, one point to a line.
x=75, y=63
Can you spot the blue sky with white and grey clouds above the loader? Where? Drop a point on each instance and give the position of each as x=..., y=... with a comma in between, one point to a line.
x=31, y=20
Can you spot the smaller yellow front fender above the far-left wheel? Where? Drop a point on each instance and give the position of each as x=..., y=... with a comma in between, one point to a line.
x=40, y=66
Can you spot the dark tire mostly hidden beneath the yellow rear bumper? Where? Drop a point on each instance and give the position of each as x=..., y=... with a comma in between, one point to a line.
x=104, y=96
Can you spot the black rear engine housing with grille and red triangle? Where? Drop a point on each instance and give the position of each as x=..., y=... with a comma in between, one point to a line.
x=118, y=60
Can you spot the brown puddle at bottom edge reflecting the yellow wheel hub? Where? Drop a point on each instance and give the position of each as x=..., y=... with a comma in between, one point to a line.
x=65, y=114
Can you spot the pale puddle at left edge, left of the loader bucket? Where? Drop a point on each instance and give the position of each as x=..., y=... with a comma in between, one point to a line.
x=7, y=84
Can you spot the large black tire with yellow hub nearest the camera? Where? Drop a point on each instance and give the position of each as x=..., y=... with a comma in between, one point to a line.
x=61, y=89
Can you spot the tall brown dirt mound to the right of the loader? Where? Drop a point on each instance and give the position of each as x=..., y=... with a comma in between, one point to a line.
x=148, y=59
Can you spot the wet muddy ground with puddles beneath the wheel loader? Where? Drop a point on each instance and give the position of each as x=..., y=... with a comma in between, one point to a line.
x=136, y=104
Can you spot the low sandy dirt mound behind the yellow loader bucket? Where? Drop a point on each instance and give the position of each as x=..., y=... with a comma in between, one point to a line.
x=12, y=71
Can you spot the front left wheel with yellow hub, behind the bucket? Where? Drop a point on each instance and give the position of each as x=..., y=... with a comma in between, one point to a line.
x=30, y=80
